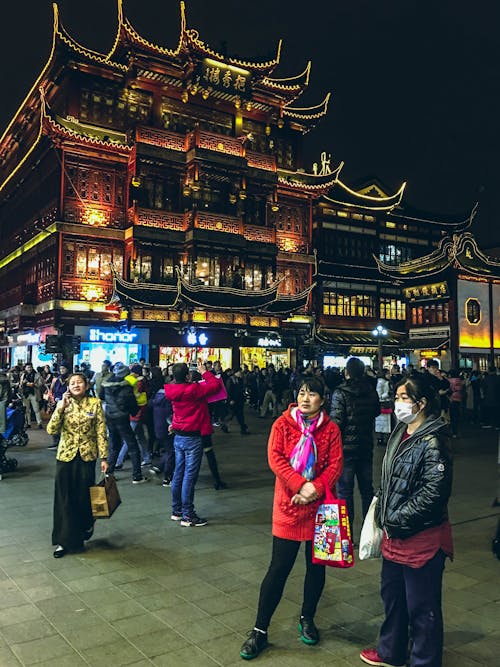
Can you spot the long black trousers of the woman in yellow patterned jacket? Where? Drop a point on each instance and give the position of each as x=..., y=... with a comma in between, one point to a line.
x=72, y=510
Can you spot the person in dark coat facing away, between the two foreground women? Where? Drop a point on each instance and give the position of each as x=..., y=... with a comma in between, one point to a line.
x=355, y=404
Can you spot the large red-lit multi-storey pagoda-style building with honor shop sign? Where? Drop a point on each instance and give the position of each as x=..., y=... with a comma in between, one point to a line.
x=152, y=202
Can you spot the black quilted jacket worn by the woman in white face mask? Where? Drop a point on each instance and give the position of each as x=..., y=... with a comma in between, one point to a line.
x=416, y=480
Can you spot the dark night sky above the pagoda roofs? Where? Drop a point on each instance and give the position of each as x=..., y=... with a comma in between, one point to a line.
x=415, y=83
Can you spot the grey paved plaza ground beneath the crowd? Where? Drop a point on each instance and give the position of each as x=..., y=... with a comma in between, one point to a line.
x=148, y=592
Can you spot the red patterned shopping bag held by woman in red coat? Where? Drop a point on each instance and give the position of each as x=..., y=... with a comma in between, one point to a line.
x=332, y=543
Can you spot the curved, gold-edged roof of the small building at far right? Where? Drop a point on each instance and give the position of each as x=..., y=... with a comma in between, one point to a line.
x=458, y=251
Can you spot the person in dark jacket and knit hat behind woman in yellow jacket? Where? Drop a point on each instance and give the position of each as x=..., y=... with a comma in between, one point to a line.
x=120, y=404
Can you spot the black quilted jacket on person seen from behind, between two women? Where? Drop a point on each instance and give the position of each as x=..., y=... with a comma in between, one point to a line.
x=355, y=405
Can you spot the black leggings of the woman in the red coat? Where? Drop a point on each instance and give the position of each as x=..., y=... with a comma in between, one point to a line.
x=282, y=560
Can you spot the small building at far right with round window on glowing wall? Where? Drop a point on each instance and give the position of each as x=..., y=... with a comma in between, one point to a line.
x=453, y=301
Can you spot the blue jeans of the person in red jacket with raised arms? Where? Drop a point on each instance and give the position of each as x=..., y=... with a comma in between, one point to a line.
x=188, y=455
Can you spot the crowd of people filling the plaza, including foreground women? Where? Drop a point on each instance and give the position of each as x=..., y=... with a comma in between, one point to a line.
x=324, y=438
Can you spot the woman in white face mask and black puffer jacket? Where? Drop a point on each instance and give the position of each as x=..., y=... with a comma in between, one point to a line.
x=412, y=511
